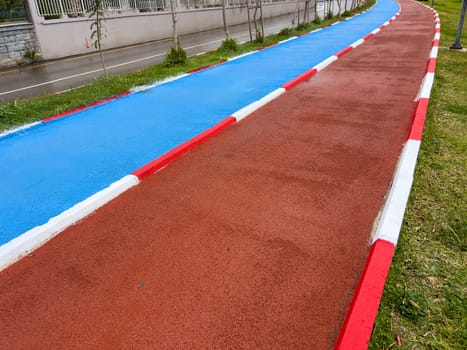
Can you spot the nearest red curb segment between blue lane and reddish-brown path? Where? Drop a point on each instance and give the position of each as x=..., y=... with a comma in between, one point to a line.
x=181, y=149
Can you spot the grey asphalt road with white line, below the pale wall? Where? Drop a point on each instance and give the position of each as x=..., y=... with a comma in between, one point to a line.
x=59, y=75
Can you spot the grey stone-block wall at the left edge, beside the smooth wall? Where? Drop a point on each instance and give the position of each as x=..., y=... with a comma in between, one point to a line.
x=14, y=38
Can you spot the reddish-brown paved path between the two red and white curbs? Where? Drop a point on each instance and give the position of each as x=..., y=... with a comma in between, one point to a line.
x=255, y=239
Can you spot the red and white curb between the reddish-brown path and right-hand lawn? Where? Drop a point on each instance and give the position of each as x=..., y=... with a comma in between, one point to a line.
x=357, y=328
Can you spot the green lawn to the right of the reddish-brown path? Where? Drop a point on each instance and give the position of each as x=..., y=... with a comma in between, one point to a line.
x=424, y=305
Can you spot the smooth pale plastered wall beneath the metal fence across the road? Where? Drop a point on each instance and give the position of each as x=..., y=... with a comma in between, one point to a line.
x=71, y=36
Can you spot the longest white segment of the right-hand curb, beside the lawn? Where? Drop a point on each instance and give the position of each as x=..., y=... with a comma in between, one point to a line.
x=390, y=221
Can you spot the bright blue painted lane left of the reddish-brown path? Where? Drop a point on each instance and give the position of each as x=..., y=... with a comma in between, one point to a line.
x=48, y=169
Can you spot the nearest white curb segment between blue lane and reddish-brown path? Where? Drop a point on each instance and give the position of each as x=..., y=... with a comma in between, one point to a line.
x=39, y=235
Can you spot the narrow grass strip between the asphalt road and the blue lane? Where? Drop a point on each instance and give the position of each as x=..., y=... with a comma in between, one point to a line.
x=21, y=112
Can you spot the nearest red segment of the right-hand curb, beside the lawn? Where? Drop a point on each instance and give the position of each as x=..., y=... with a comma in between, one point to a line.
x=358, y=325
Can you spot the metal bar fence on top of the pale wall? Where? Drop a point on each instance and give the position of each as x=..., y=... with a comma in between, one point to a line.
x=52, y=9
